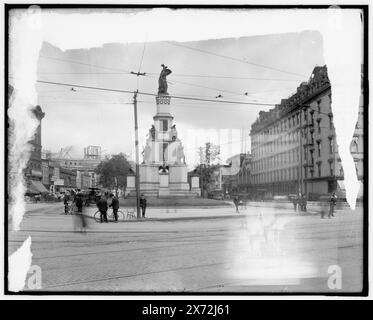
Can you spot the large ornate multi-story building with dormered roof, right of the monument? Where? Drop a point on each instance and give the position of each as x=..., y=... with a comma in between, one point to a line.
x=293, y=145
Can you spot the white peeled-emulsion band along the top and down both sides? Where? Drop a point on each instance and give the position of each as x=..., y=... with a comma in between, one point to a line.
x=76, y=29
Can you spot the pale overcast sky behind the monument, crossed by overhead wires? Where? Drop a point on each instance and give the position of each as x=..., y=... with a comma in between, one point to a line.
x=82, y=117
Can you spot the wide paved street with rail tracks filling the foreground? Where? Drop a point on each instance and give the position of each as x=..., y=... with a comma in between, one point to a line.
x=262, y=249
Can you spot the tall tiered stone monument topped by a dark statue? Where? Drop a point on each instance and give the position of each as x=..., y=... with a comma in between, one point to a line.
x=163, y=172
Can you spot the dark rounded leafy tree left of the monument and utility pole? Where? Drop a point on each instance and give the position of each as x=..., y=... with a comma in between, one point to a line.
x=113, y=172
